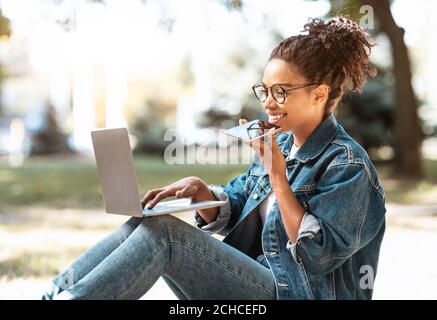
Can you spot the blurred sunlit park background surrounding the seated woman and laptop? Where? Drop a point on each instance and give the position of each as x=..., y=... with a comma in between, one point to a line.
x=67, y=67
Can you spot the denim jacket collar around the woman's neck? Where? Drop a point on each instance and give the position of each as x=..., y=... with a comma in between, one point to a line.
x=316, y=142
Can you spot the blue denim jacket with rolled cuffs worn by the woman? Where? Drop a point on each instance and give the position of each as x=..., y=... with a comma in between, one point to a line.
x=338, y=243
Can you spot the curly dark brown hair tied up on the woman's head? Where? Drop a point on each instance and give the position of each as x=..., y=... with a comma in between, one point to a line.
x=334, y=52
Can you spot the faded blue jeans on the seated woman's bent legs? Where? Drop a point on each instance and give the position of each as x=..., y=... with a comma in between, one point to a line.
x=127, y=263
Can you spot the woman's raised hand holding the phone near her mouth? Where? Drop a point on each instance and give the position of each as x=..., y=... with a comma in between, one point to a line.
x=270, y=154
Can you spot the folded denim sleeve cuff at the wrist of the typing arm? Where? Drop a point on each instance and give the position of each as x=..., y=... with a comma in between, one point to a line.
x=222, y=218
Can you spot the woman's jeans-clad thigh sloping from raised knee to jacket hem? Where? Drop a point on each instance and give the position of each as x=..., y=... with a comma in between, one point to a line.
x=202, y=267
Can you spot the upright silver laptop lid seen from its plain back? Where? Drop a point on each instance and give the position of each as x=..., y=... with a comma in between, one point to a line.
x=116, y=171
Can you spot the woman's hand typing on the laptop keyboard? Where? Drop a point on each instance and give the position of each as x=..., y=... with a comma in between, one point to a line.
x=189, y=187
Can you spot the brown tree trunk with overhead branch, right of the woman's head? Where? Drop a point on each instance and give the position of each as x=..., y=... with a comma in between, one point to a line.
x=407, y=133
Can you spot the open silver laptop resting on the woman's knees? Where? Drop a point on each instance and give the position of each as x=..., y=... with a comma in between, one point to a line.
x=119, y=181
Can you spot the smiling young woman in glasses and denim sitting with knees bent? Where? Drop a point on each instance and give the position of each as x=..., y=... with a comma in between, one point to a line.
x=304, y=223
